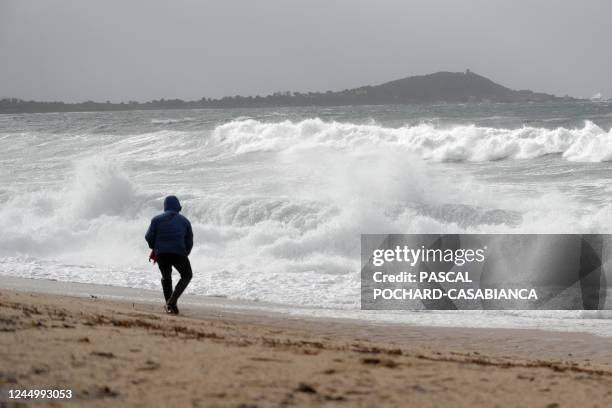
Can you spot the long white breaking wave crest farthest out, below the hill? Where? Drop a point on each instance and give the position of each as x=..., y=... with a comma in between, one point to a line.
x=457, y=143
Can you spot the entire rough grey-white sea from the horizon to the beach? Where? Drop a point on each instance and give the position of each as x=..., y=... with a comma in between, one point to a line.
x=278, y=198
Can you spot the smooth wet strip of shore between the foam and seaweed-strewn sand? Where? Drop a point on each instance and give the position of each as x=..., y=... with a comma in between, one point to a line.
x=492, y=340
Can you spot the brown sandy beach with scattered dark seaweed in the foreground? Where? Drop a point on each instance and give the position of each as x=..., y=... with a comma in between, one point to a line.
x=118, y=353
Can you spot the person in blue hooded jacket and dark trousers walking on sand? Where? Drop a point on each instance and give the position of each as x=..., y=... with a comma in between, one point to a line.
x=170, y=237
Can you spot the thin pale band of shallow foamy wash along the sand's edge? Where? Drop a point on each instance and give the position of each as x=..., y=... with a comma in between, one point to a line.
x=594, y=322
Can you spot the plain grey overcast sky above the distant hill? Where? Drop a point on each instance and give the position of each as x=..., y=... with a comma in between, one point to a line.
x=140, y=50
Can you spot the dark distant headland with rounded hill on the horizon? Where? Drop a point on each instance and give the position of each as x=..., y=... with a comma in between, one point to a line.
x=440, y=87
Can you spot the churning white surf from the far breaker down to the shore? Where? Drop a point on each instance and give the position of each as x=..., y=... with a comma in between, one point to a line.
x=277, y=208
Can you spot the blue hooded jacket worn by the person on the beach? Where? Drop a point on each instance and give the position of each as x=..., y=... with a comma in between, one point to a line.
x=170, y=232
